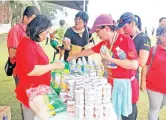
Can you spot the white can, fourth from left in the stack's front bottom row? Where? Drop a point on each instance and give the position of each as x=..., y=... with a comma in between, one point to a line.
x=99, y=112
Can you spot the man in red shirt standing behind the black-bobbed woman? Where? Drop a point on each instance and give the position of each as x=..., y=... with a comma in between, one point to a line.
x=17, y=33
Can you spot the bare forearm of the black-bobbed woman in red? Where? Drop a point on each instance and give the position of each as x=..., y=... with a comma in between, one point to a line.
x=42, y=69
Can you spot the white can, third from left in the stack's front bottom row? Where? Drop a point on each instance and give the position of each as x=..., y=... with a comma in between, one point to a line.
x=89, y=112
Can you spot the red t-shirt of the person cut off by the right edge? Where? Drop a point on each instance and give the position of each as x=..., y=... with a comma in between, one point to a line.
x=156, y=77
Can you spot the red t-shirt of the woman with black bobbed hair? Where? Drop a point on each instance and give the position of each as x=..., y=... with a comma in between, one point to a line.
x=29, y=54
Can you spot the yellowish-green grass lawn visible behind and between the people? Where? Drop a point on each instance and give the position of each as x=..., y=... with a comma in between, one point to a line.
x=7, y=94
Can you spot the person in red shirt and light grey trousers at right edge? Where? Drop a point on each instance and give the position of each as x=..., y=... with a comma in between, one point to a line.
x=155, y=78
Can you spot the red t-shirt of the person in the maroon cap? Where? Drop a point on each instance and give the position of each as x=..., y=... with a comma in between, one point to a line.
x=125, y=43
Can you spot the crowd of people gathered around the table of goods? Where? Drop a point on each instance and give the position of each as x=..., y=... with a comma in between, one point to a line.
x=33, y=67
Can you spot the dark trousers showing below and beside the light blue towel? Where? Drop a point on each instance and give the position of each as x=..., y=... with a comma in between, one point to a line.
x=133, y=115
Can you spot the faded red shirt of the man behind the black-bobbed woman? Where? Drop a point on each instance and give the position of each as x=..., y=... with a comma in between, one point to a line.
x=15, y=35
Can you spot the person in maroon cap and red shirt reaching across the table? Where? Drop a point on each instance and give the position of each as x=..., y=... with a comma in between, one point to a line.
x=125, y=63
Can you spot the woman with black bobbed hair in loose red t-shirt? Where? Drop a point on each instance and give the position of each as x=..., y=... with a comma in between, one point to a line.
x=33, y=68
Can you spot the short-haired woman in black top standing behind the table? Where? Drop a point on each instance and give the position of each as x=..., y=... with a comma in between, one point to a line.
x=76, y=37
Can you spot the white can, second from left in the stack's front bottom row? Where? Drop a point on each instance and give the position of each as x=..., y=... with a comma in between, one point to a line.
x=79, y=110
